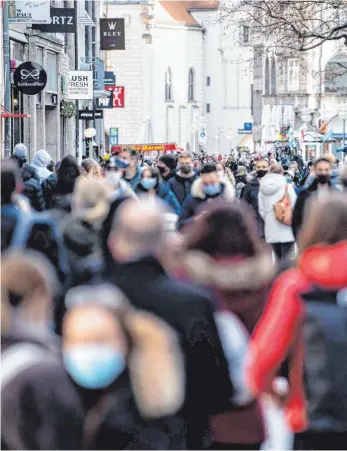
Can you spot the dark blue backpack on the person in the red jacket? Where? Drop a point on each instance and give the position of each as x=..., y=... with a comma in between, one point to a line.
x=325, y=361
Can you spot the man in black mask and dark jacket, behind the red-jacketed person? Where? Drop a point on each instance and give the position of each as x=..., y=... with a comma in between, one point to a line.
x=321, y=187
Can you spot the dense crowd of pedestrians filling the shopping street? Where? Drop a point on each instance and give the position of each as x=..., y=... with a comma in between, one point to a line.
x=169, y=302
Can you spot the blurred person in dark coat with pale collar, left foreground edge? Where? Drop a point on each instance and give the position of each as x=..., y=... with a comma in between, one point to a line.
x=38, y=405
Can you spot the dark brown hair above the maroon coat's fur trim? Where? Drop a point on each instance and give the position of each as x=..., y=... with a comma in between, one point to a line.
x=225, y=230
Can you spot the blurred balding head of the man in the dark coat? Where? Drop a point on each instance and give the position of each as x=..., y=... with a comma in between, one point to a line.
x=138, y=229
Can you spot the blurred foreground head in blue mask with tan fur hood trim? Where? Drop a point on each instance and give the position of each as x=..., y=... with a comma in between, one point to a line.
x=103, y=336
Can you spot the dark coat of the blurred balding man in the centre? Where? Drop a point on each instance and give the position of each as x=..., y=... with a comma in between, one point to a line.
x=189, y=311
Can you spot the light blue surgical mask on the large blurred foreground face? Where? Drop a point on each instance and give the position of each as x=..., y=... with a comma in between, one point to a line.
x=93, y=366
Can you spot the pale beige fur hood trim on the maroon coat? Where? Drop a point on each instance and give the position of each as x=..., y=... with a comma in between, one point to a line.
x=246, y=274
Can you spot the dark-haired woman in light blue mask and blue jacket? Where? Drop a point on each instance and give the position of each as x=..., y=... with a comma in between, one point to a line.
x=151, y=184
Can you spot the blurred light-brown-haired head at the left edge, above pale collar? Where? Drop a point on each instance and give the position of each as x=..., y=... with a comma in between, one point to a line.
x=28, y=283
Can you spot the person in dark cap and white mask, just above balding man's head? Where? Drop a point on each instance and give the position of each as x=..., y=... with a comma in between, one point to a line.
x=114, y=171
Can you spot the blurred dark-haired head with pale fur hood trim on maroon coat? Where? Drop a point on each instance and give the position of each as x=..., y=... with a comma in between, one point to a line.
x=224, y=250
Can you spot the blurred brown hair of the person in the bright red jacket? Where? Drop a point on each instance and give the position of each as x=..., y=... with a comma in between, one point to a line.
x=325, y=222
